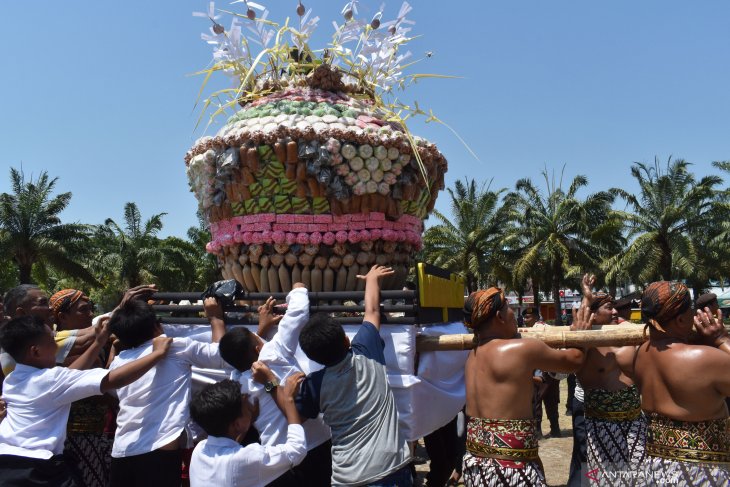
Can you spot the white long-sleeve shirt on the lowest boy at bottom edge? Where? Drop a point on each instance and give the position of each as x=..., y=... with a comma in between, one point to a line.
x=223, y=462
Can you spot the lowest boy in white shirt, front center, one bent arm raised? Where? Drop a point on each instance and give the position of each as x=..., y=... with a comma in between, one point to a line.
x=226, y=416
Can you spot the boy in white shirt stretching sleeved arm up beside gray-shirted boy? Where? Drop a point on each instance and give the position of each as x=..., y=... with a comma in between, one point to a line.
x=241, y=349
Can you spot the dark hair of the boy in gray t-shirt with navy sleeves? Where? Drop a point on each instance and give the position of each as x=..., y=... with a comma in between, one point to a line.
x=323, y=340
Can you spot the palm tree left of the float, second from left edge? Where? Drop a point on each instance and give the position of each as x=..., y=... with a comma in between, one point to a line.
x=133, y=254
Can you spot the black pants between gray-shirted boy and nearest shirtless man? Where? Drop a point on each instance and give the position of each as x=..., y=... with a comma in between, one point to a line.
x=444, y=451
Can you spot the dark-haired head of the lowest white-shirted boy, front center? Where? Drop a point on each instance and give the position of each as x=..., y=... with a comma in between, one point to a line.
x=221, y=410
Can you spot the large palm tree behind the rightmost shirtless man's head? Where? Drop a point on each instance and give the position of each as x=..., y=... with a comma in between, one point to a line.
x=670, y=205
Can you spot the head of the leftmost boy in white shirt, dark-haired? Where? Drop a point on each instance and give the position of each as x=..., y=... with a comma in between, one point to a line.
x=29, y=341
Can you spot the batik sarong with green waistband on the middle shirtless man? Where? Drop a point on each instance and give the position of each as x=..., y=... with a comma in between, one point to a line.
x=615, y=431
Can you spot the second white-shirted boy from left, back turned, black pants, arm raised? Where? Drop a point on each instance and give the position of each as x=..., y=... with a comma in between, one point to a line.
x=153, y=411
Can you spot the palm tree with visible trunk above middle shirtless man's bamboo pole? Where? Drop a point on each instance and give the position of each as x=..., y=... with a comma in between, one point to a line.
x=554, y=230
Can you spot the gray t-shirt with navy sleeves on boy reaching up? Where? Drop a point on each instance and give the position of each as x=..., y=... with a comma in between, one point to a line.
x=358, y=405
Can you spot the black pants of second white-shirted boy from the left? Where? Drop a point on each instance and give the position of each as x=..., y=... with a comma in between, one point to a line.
x=159, y=468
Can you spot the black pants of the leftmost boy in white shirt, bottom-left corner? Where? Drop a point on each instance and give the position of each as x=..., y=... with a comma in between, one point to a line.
x=17, y=471
